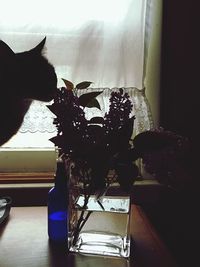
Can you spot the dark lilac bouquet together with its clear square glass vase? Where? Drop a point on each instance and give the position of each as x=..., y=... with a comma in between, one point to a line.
x=99, y=152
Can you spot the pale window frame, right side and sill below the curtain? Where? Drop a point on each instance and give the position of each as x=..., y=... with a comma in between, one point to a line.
x=45, y=174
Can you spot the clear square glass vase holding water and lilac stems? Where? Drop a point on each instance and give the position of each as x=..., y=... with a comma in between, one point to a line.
x=101, y=227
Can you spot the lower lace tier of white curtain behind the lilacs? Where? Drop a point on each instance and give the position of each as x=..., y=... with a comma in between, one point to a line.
x=42, y=117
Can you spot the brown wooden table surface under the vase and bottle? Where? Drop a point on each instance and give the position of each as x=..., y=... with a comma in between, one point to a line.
x=24, y=243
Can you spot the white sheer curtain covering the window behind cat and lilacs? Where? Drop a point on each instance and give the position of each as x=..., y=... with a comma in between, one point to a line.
x=103, y=41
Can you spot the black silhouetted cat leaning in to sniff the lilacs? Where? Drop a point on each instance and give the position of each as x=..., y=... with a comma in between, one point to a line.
x=24, y=77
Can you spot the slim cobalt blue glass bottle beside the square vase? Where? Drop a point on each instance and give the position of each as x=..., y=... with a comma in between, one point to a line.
x=57, y=206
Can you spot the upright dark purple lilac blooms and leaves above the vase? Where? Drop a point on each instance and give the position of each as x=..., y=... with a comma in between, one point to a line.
x=97, y=145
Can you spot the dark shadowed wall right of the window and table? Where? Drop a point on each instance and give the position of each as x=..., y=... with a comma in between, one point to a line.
x=176, y=216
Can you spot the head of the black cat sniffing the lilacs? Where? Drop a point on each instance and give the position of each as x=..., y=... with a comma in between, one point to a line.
x=30, y=74
